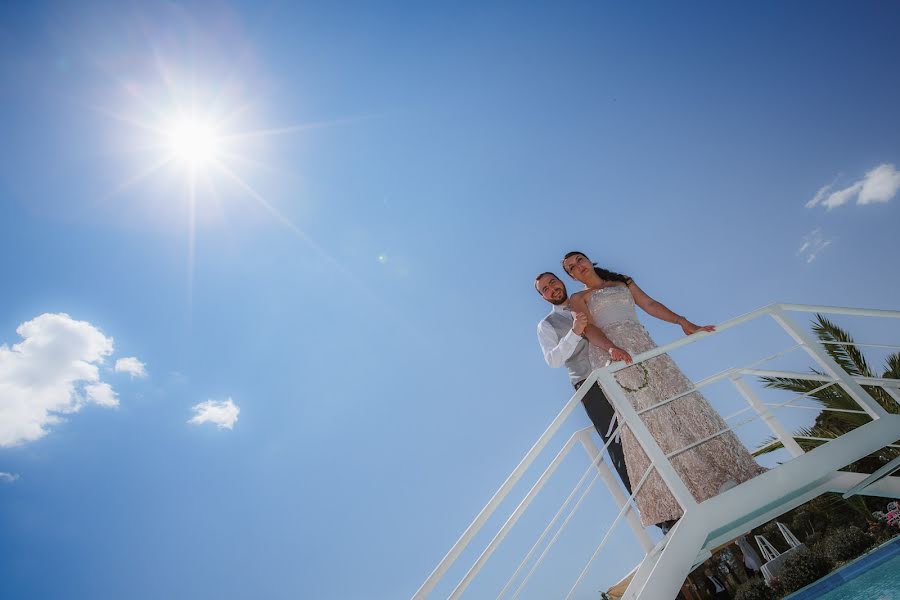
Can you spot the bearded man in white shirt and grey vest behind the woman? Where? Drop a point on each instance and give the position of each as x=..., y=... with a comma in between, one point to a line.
x=560, y=335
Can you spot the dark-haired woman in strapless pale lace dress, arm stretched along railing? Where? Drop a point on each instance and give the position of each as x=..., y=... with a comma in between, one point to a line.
x=609, y=302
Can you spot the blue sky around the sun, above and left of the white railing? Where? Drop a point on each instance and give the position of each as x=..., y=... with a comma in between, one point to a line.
x=368, y=305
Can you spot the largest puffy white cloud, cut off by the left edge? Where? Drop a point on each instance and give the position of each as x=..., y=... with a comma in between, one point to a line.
x=53, y=371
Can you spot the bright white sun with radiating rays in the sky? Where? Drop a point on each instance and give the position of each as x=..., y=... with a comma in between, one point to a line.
x=201, y=138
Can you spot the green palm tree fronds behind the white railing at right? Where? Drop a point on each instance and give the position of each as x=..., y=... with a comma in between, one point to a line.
x=838, y=344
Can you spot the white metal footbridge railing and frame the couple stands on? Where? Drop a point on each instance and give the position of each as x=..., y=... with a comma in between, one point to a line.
x=710, y=522
